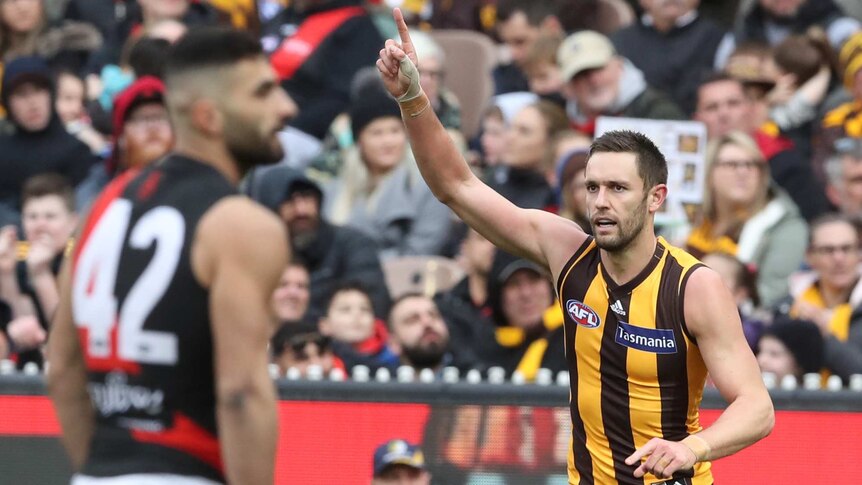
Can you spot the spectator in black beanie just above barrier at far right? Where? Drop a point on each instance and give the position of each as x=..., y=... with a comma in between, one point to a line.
x=790, y=347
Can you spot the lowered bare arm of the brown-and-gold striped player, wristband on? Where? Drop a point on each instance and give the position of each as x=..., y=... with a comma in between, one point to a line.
x=712, y=318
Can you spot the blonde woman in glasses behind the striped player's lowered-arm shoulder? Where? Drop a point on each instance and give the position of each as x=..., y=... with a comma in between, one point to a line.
x=746, y=215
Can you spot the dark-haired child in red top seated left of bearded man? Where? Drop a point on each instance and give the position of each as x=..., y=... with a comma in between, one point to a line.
x=358, y=338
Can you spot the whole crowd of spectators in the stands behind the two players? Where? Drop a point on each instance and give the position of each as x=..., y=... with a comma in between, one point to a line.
x=383, y=274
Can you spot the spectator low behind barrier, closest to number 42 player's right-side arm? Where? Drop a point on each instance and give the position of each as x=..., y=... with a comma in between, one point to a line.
x=300, y=345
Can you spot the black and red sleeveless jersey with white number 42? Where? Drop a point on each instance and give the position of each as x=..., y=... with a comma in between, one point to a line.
x=144, y=326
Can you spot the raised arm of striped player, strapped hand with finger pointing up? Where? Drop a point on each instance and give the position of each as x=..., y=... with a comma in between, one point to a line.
x=533, y=234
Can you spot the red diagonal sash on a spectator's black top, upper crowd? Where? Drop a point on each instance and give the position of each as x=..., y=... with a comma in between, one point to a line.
x=294, y=51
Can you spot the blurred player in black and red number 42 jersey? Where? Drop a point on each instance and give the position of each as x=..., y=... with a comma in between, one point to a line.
x=158, y=351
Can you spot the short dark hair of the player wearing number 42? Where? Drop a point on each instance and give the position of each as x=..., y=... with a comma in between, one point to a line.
x=208, y=47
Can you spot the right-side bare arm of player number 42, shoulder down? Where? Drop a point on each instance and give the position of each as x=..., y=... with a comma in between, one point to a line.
x=239, y=252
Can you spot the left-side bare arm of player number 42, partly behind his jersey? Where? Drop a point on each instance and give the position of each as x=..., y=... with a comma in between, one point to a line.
x=67, y=376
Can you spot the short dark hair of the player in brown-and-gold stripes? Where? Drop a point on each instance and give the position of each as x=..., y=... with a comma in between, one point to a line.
x=652, y=166
